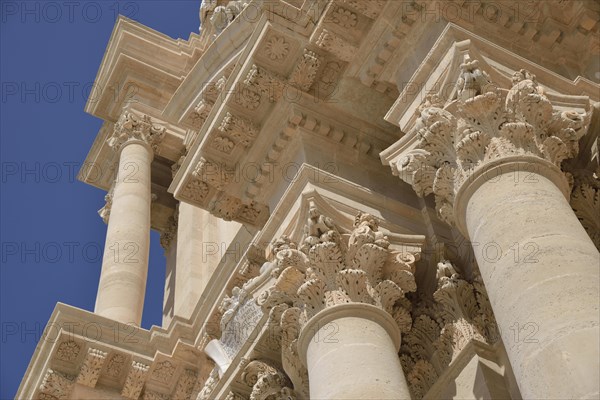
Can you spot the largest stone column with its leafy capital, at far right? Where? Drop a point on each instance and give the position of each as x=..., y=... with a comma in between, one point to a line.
x=492, y=159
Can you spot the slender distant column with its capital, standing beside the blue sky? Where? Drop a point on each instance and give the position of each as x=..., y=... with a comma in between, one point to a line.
x=125, y=261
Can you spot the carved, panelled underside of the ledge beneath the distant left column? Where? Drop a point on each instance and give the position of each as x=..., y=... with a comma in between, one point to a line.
x=122, y=371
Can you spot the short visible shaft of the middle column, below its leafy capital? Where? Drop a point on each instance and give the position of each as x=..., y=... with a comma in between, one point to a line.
x=351, y=352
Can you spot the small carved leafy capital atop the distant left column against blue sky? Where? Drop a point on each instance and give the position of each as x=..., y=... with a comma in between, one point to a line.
x=131, y=127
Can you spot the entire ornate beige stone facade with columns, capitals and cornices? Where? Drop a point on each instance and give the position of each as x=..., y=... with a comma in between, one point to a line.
x=370, y=199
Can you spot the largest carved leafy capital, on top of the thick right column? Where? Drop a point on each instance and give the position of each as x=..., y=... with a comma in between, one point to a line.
x=485, y=124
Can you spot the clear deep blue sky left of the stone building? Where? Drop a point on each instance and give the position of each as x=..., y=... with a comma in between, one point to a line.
x=51, y=235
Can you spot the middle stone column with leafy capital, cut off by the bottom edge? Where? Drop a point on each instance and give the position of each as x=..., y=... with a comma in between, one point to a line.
x=351, y=310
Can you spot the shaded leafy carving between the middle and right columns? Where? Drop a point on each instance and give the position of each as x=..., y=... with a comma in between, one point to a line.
x=459, y=313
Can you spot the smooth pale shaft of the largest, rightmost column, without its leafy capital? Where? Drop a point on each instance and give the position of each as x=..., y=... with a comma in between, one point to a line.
x=541, y=270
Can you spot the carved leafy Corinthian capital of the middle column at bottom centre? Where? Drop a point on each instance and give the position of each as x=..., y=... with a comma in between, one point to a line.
x=331, y=267
